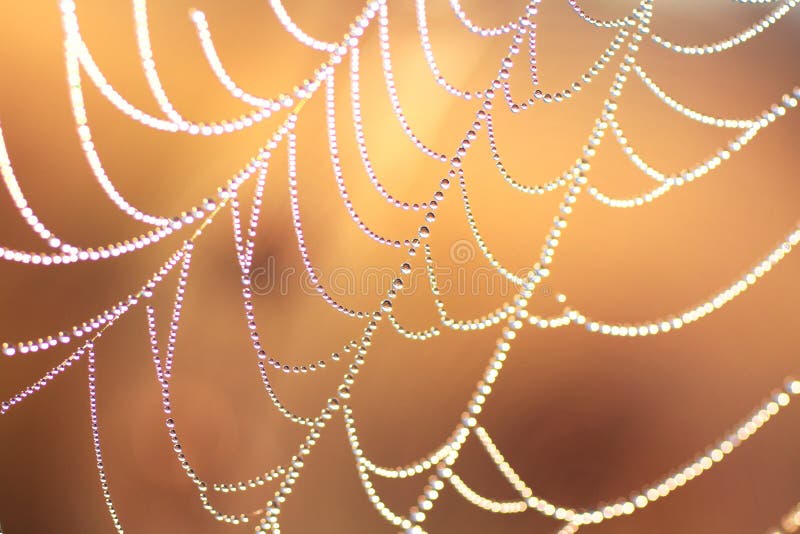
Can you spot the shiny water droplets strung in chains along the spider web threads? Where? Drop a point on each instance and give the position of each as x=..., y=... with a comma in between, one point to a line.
x=514, y=315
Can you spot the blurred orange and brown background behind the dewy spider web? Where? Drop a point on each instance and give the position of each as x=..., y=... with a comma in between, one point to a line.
x=583, y=418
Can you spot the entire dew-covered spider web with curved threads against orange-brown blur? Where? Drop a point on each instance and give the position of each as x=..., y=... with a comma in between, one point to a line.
x=439, y=465
